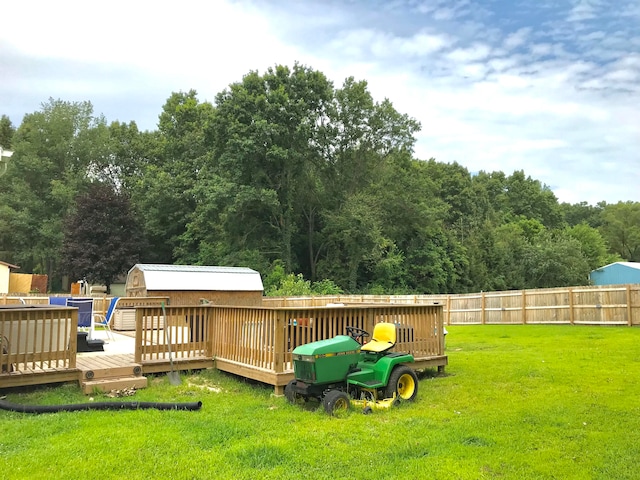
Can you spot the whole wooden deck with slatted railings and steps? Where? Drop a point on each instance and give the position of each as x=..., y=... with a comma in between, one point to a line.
x=253, y=342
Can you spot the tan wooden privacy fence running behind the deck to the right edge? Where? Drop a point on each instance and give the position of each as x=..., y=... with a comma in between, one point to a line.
x=604, y=305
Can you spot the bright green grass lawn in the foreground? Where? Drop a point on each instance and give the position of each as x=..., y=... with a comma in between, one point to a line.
x=516, y=402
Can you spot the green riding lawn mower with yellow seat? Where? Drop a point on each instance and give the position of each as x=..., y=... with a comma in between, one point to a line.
x=344, y=371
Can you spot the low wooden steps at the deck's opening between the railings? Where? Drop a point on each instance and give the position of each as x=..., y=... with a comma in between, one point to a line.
x=106, y=373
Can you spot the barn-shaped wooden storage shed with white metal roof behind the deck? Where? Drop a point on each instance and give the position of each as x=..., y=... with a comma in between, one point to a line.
x=195, y=284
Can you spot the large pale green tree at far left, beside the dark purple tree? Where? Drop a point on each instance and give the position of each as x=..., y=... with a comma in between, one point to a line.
x=53, y=151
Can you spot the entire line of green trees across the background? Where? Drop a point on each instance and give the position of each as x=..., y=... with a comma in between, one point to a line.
x=307, y=183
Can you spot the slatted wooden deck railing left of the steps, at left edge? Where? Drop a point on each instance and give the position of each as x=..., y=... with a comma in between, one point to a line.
x=37, y=340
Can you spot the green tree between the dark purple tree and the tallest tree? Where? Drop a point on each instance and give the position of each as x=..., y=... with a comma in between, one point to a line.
x=164, y=192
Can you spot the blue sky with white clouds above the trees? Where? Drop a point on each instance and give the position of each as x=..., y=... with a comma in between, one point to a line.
x=549, y=87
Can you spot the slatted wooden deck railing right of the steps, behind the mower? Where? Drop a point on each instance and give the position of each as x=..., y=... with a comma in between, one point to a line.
x=256, y=342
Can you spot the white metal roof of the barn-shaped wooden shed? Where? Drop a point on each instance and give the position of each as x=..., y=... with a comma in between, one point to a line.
x=200, y=278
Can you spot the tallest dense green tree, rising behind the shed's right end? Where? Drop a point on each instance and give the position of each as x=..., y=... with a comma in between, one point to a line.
x=267, y=132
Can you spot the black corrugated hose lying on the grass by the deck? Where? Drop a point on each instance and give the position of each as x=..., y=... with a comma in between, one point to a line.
x=14, y=407
